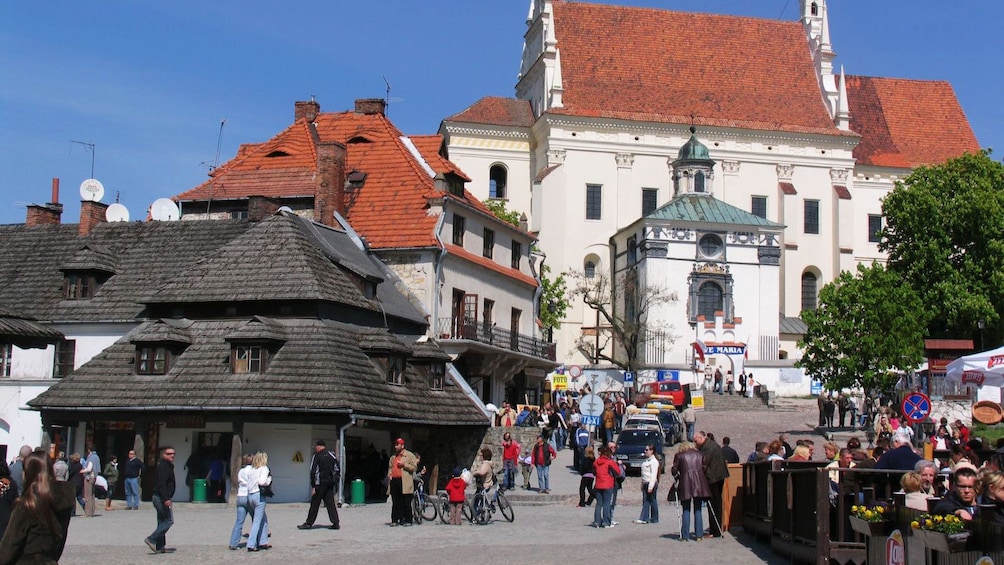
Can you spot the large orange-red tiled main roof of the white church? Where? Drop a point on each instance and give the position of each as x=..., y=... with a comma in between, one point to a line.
x=660, y=66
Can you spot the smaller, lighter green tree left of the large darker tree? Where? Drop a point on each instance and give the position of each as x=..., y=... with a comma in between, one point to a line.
x=866, y=329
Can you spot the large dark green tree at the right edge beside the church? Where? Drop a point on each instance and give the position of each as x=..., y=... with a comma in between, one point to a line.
x=945, y=237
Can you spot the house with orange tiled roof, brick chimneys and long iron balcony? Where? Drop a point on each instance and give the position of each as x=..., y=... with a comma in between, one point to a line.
x=472, y=272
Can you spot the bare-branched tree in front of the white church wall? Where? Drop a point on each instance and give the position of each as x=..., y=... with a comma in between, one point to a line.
x=623, y=308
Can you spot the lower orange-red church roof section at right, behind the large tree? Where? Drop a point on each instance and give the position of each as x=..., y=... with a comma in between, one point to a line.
x=906, y=124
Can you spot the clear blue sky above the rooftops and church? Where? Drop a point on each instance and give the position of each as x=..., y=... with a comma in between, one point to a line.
x=149, y=83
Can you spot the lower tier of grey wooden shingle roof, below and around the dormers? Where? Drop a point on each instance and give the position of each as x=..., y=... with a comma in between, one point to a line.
x=320, y=368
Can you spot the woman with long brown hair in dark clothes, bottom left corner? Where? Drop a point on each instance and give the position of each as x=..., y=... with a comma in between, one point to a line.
x=38, y=529
